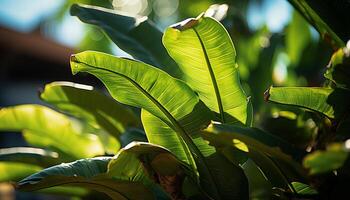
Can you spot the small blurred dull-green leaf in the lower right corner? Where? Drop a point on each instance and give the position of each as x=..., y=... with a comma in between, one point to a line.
x=322, y=161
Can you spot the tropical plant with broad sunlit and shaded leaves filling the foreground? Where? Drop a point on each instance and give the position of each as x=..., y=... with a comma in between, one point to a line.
x=195, y=139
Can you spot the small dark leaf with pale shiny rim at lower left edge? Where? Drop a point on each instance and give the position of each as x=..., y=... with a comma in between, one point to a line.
x=28, y=155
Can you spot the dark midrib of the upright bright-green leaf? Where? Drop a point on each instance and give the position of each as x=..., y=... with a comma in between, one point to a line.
x=212, y=76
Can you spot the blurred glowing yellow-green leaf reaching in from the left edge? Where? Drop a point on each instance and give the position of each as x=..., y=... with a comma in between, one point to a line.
x=52, y=130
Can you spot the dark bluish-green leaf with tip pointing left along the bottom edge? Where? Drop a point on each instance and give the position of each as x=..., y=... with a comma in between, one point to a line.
x=88, y=173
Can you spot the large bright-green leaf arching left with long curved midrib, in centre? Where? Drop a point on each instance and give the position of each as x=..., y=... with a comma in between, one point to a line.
x=170, y=107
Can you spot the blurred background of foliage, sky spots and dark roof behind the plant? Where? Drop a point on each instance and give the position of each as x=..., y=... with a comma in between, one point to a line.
x=274, y=44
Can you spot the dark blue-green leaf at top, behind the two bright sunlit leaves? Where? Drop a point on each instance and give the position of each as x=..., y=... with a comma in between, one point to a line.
x=129, y=33
